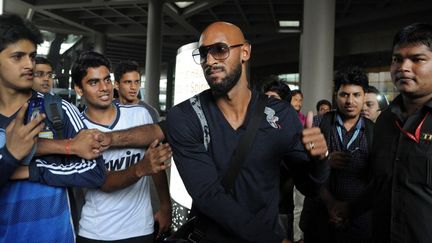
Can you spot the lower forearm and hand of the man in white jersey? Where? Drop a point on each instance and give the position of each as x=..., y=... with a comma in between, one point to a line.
x=153, y=162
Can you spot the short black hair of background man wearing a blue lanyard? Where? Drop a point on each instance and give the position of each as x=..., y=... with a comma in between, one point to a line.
x=351, y=75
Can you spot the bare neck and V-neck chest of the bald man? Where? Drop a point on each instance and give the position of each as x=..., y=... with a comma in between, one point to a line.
x=235, y=104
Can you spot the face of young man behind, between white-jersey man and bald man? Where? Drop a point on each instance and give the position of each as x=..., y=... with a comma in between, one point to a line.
x=128, y=87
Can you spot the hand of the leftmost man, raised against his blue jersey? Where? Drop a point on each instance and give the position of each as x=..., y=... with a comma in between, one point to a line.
x=20, y=137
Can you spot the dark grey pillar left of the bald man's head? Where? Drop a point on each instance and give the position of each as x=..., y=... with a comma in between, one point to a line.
x=153, y=52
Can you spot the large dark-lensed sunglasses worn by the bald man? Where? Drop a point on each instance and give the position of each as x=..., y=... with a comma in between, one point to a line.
x=219, y=51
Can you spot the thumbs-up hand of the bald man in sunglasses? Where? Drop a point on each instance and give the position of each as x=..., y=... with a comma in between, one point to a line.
x=313, y=140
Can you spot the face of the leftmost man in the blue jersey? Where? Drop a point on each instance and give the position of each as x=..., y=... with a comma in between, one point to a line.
x=17, y=61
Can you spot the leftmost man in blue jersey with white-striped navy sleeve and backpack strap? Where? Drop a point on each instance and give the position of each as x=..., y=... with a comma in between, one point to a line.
x=31, y=211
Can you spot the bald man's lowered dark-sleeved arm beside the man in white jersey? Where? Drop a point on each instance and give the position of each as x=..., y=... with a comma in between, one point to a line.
x=203, y=182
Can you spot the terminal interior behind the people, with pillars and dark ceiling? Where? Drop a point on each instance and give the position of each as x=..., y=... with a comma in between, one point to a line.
x=283, y=35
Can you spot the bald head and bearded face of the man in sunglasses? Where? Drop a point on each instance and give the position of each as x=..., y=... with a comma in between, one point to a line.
x=223, y=75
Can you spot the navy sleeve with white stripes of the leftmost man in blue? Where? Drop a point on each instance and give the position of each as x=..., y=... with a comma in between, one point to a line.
x=60, y=170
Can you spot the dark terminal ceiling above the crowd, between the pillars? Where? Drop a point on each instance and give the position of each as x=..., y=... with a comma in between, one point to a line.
x=124, y=22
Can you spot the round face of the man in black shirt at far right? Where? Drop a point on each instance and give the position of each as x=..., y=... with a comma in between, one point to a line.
x=411, y=70
